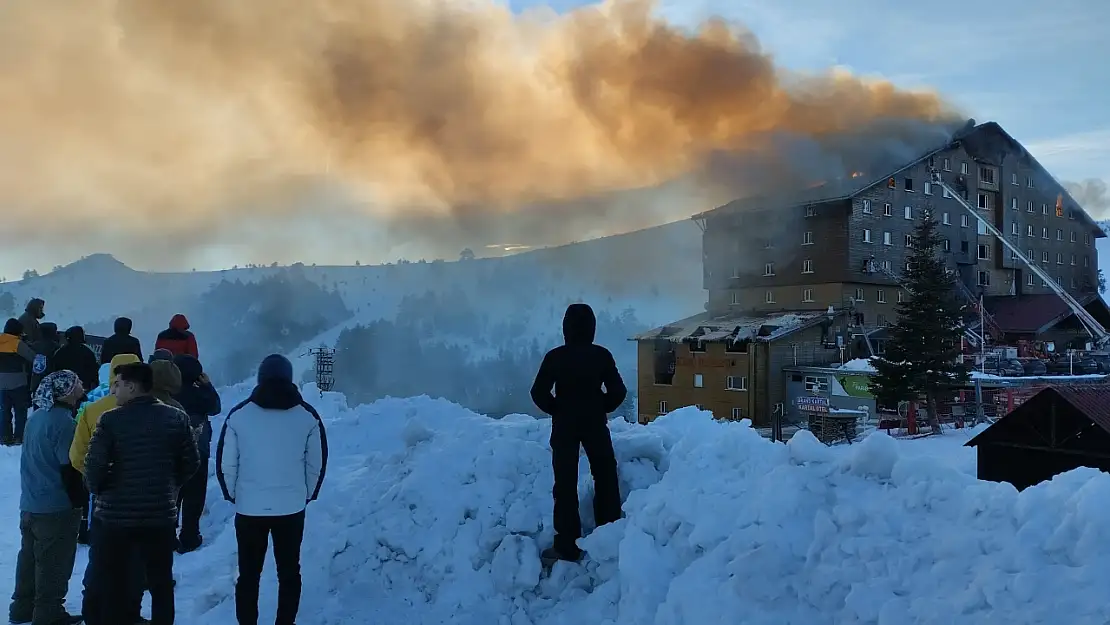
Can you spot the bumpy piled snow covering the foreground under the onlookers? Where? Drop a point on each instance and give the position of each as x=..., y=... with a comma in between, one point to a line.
x=433, y=515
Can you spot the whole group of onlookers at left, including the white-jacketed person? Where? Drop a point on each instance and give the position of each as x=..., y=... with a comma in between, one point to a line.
x=116, y=455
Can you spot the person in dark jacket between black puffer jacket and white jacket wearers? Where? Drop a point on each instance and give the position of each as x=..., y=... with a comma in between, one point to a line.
x=200, y=401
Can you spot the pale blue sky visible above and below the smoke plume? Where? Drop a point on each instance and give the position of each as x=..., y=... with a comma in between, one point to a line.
x=1037, y=68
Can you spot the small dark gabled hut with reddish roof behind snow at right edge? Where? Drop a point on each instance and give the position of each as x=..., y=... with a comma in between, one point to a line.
x=1059, y=429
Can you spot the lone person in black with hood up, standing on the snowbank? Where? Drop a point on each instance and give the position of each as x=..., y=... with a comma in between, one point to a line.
x=578, y=371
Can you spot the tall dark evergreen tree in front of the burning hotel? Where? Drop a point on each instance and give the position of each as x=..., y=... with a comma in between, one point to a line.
x=922, y=355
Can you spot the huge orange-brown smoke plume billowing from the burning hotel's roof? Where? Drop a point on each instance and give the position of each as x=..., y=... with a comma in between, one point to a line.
x=157, y=125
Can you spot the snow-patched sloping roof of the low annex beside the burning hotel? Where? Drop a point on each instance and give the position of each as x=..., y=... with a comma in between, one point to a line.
x=755, y=327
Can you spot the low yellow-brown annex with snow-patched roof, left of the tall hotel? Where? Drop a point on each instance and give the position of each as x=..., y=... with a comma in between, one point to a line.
x=732, y=366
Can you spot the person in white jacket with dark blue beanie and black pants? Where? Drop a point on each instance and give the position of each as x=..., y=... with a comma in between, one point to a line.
x=270, y=461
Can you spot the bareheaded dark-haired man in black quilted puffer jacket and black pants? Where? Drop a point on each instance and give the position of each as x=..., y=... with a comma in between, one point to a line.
x=139, y=458
